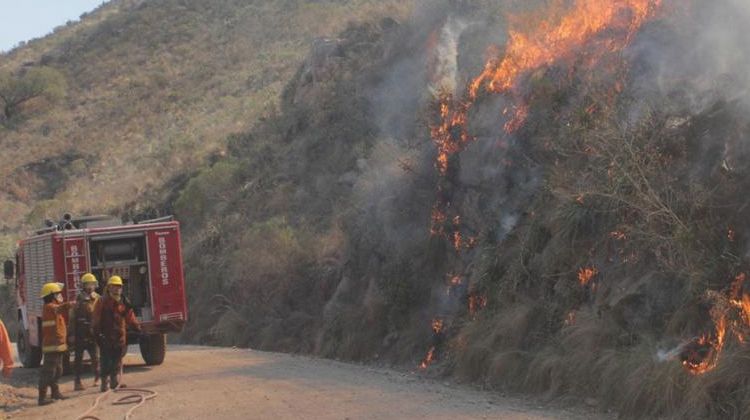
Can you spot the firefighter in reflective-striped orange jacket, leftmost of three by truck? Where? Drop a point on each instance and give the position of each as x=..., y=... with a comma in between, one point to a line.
x=54, y=347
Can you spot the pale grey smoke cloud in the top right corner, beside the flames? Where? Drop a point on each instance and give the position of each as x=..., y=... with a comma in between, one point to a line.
x=698, y=54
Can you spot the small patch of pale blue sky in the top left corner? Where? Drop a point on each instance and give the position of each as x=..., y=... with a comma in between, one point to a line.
x=22, y=20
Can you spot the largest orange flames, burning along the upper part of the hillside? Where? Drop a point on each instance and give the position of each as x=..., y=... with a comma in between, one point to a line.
x=589, y=27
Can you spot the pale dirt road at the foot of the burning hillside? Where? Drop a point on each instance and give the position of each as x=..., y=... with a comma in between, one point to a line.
x=209, y=383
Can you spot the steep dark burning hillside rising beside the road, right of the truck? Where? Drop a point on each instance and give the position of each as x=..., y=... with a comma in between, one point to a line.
x=560, y=213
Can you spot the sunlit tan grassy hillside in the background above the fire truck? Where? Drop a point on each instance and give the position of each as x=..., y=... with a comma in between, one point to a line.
x=153, y=90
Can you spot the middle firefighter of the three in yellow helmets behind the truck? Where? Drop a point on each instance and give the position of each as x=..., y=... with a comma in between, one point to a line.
x=83, y=333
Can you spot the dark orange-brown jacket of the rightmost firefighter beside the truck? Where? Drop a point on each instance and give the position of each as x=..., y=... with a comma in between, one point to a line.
x=110, y=321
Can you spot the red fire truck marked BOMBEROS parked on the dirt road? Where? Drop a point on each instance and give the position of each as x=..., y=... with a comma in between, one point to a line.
x=146, y=255
